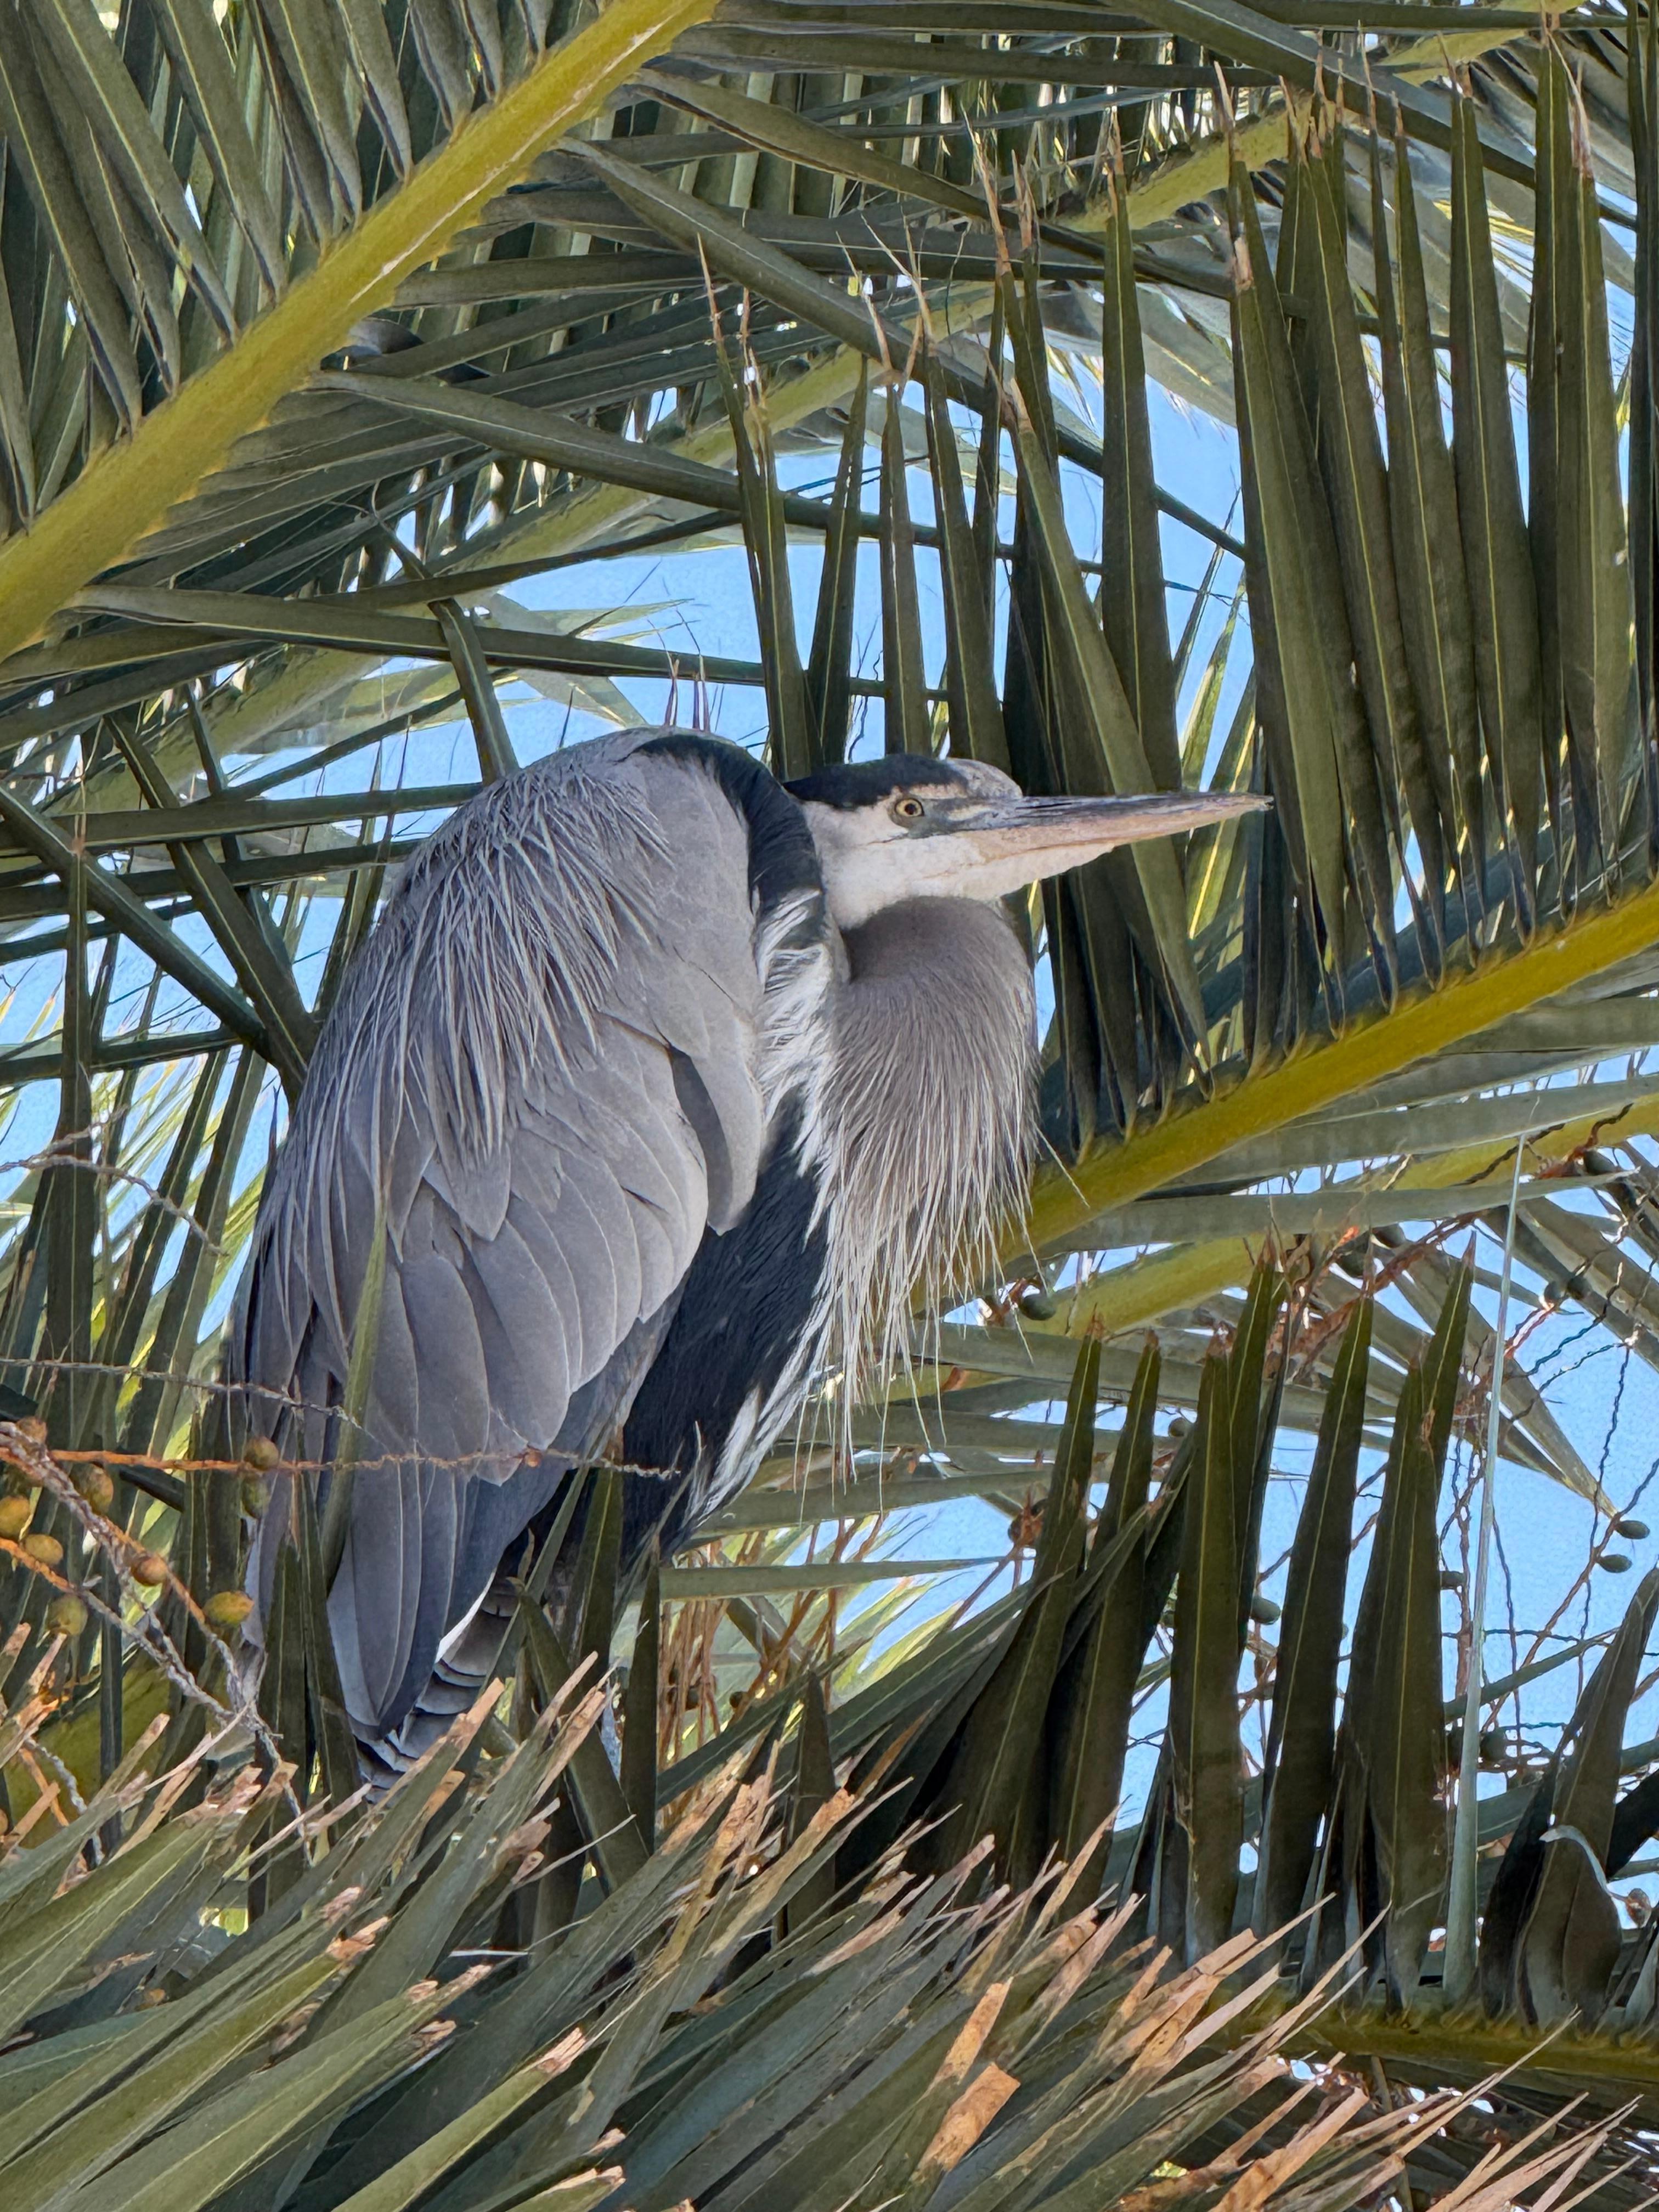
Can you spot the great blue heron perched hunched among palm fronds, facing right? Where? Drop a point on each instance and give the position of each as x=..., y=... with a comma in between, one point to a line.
x=658, y=1087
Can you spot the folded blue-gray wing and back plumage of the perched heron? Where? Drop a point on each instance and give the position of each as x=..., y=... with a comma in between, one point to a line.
x=543, y=1083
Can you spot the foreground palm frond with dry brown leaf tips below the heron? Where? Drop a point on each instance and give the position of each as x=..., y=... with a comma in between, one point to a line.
x=910, y=2041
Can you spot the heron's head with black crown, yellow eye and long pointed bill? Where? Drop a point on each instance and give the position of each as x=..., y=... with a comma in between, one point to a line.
x=910, y=826
